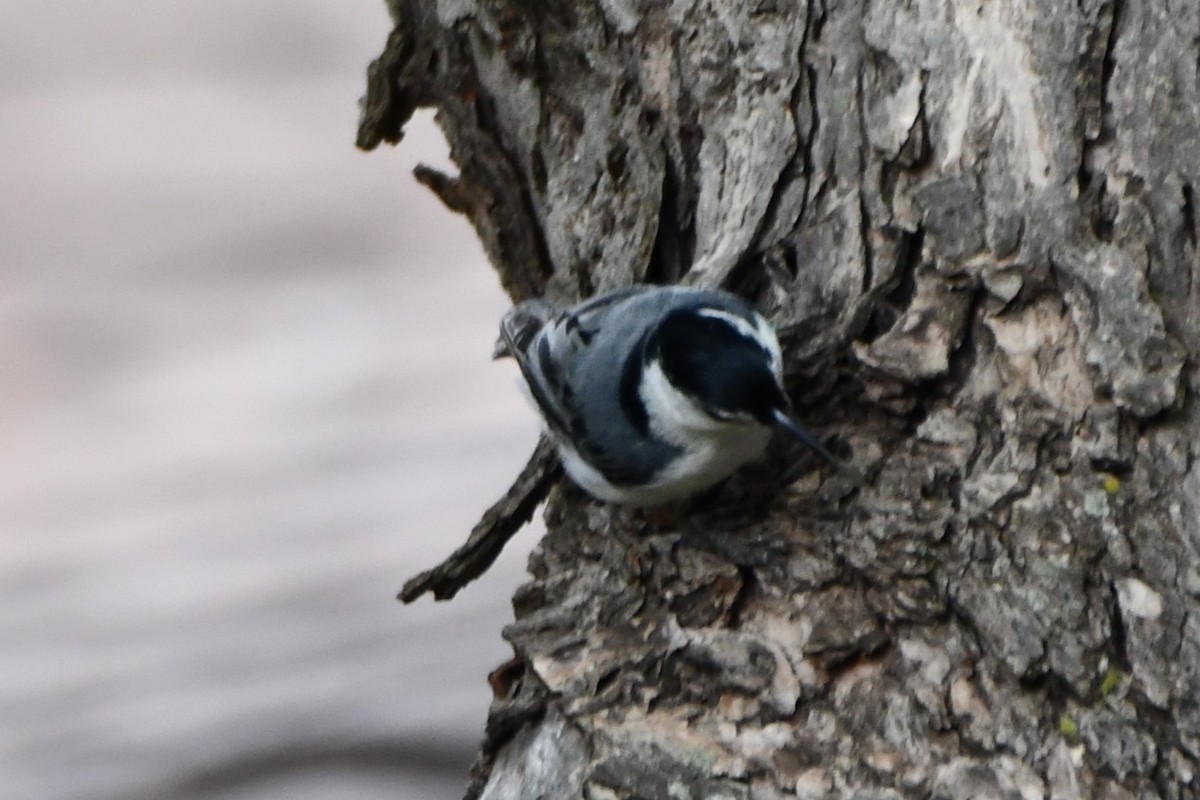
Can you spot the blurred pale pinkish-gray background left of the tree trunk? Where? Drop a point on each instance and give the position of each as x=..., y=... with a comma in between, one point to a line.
x=247, y=393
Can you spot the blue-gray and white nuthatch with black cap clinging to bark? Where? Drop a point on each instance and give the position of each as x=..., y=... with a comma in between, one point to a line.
x=653, y=394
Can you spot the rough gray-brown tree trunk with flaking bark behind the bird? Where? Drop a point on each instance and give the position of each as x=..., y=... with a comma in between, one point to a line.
x=976, y=226
